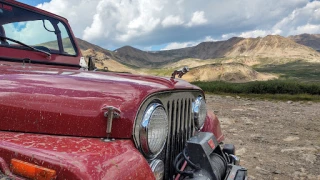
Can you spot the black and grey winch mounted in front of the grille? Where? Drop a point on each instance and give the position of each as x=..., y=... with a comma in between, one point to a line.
x=208, y=160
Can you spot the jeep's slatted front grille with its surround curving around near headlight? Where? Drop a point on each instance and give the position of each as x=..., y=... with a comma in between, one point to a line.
x=178, y=105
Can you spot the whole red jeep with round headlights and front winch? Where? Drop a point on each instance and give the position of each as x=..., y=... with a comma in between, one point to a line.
x=60, y=119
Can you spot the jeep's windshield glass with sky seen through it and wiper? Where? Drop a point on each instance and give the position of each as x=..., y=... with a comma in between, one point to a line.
x=36, y=30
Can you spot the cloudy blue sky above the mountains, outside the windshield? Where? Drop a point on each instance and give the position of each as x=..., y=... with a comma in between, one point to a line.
x=171, y=24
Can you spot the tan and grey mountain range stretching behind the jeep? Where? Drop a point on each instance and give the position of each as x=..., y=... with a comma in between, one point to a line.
x=236, y=59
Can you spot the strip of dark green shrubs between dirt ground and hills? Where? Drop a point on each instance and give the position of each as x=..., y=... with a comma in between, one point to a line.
x=261, y=87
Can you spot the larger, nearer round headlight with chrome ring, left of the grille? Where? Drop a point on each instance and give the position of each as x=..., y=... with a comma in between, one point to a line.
x=153, y=130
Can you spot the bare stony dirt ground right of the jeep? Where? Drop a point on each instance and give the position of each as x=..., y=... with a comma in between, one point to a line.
x=275, y=140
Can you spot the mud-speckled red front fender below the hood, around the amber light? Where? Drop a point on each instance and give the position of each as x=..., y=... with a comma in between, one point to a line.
x=76, y=158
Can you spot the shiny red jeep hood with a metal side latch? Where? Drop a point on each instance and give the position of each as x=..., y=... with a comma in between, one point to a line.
x=71, y=102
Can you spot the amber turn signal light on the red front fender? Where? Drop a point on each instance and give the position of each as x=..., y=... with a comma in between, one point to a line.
x=32, y=171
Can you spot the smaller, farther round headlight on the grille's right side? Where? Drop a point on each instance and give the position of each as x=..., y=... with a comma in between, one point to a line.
x=199, y=111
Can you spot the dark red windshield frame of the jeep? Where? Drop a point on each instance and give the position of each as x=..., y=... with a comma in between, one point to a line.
x=49, y=15
